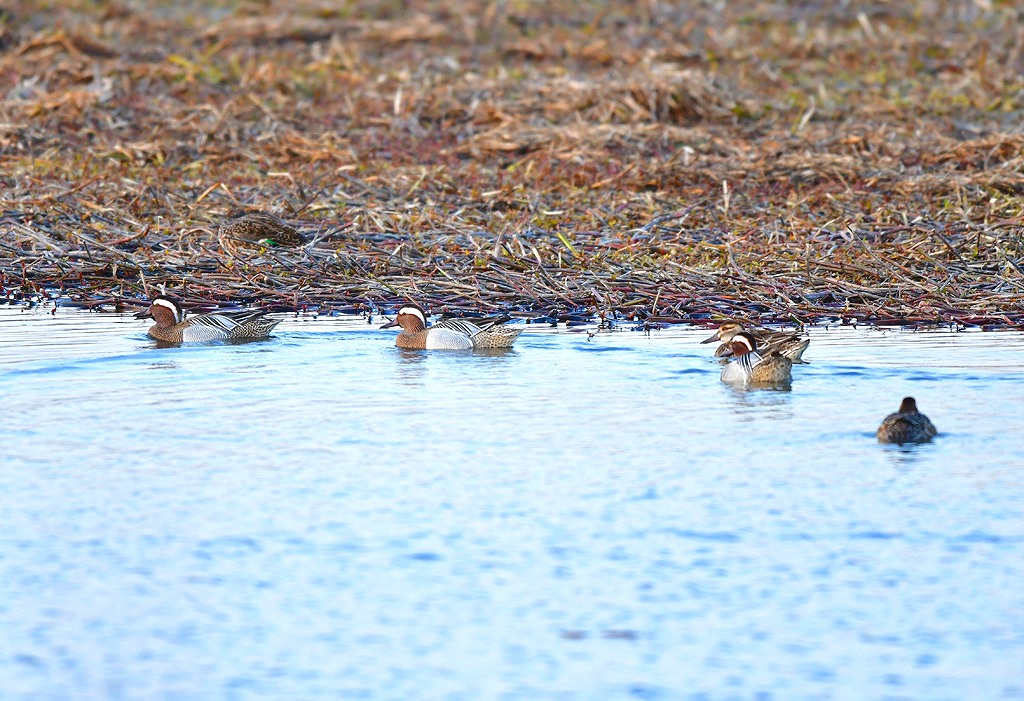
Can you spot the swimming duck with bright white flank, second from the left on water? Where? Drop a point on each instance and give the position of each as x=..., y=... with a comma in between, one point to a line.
x=451, y=334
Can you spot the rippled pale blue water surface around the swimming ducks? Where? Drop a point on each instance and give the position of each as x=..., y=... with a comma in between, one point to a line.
x=324, y=516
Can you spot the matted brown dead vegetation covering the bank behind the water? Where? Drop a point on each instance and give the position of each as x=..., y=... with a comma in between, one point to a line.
x=800, y=162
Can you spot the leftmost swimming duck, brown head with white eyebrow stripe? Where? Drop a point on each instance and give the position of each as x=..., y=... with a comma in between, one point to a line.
x=173, y=327
